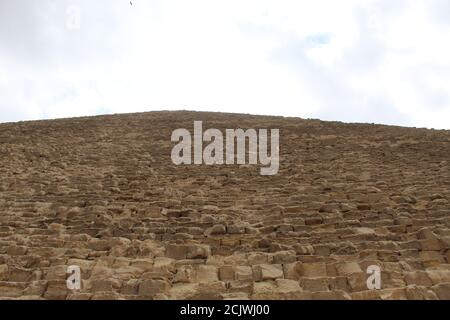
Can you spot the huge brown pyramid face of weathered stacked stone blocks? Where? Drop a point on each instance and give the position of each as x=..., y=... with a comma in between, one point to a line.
x=102, y=194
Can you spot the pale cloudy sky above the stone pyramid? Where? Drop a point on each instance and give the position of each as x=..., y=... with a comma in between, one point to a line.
x=373, y=61
